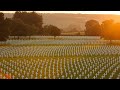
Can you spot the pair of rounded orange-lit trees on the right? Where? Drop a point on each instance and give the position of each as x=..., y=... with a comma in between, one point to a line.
x=108, y=29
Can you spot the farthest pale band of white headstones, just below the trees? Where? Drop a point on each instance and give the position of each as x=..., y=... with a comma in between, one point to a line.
x=52, y=41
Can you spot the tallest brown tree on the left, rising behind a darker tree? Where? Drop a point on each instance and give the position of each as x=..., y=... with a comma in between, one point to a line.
x=31, y=18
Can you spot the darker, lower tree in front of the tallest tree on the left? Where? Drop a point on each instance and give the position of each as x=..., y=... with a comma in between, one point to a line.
x=19, y=28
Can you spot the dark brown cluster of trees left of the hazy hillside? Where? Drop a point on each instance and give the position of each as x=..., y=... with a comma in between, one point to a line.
x=25, y=24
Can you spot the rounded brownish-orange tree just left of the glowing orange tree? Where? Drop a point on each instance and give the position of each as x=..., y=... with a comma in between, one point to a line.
x=92, y=28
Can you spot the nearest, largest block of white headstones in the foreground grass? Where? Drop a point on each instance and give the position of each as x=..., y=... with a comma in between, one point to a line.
x=61, y=68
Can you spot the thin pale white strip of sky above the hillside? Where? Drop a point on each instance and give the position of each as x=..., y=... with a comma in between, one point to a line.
x=82, y=12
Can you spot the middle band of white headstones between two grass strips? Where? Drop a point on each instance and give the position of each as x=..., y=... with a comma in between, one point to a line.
x=32, y=51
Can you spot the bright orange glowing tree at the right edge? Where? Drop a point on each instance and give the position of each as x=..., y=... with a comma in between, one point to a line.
x=110, y=30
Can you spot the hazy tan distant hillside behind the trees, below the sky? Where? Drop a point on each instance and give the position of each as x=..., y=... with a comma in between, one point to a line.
x=65, y=21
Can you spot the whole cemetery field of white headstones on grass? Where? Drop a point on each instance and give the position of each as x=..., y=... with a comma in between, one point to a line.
x=73, y=57
